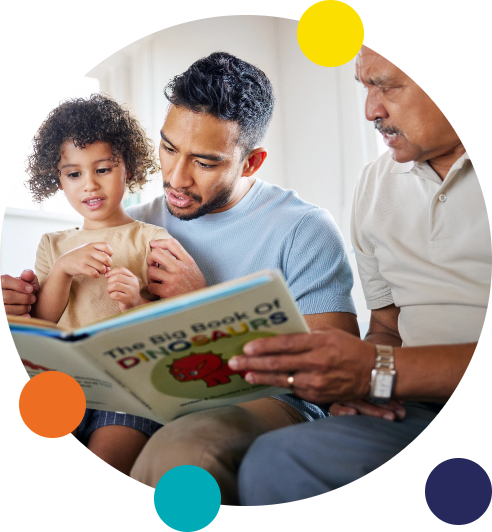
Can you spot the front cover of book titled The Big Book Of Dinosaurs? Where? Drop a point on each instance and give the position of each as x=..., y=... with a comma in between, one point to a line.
x=178, y=363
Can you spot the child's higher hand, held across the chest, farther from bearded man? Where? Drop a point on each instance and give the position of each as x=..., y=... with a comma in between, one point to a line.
x=91, y=259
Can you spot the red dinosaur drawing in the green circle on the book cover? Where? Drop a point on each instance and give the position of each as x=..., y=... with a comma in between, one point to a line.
x=207, y=366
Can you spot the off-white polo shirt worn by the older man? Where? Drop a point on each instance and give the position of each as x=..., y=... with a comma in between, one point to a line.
x=424, y=245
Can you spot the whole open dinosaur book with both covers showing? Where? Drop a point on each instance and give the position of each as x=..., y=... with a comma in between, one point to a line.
x=167, y=358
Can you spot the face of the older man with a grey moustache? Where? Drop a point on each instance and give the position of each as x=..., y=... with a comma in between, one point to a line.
x=412, y=125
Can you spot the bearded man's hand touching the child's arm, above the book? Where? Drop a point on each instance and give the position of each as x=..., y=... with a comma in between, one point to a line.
x=180, y=274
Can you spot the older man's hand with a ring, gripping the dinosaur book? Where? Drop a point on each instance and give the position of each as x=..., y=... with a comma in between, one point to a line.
x=327, y=366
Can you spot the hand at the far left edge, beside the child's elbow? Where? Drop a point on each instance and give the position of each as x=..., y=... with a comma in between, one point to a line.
x=19, y=293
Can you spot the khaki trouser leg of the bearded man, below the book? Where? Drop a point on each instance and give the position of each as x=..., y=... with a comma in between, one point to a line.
x=215, y=440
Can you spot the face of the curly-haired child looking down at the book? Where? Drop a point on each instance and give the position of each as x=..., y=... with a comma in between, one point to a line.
x=93, y=184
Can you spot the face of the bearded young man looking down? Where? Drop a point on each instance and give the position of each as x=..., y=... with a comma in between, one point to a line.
x=200, y=163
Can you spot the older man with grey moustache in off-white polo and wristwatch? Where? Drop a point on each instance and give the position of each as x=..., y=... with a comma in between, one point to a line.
x=421, y=234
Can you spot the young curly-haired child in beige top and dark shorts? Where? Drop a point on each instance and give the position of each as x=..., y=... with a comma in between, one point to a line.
x=93, y=149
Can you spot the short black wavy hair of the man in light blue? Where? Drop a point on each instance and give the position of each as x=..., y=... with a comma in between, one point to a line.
x=230, y=89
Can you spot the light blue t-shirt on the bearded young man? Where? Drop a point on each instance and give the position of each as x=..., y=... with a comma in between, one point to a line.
x=269, y=228
